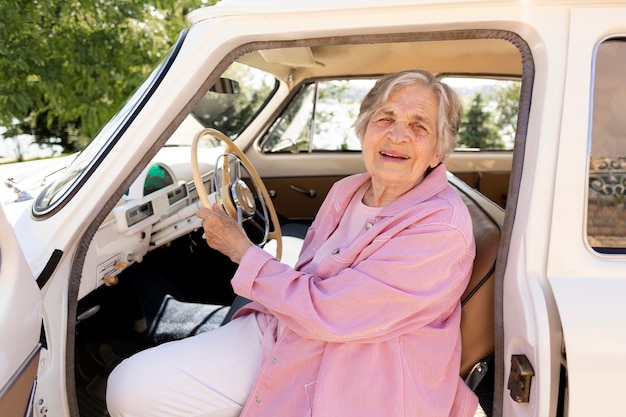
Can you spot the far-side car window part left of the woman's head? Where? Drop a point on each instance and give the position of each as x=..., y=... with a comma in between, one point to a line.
x=319, y=118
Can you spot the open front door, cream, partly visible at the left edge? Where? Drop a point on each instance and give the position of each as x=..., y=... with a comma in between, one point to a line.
x=20, y=326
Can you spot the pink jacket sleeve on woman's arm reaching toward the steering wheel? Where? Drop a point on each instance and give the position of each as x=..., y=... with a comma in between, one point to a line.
x=412, y=279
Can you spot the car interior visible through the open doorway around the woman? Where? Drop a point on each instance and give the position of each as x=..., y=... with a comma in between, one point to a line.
x=148, y=277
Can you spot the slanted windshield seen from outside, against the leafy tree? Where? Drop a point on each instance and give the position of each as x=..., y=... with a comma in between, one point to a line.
x=50, y=198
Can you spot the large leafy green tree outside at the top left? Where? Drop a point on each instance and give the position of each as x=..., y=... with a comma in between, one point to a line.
x=67, y=66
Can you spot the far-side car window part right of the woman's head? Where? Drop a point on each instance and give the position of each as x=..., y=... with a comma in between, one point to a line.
x=490, y=107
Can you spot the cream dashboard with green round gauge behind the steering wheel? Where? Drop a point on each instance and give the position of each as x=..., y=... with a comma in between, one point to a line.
x=158, y=207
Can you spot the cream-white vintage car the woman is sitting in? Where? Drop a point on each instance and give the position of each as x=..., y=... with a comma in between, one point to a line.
x=111, y=241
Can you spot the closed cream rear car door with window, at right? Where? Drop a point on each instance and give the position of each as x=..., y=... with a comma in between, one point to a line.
x=587, y=262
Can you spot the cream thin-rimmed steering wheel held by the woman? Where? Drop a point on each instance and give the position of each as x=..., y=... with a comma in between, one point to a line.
x=232, y=192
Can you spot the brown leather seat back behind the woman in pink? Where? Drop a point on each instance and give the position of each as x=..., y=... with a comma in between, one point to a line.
x=477, y=322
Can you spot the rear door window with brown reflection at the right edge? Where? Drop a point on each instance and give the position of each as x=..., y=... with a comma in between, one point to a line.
x=606, y=214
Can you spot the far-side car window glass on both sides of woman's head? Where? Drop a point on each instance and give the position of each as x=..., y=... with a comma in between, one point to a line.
x=320, y=116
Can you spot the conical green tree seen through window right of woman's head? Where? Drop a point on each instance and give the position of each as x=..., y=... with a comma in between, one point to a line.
x=477, y=129
